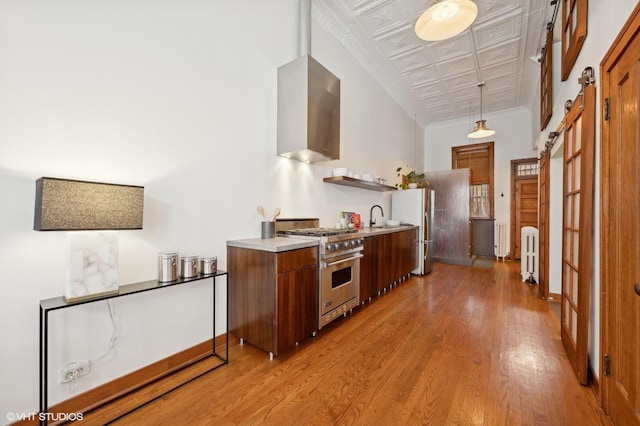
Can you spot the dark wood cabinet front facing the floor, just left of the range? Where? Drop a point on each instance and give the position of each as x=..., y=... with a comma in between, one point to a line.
x=297, y=306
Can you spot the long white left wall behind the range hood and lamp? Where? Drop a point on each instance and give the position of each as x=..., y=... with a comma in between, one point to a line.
x=180, y=97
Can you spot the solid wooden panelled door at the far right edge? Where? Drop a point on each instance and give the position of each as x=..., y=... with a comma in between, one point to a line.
x=620, y=226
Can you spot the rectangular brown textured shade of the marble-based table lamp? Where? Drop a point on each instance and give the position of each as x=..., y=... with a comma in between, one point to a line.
x=71, y=205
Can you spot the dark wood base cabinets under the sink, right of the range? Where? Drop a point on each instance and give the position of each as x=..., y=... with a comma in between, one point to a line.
x=387, y=258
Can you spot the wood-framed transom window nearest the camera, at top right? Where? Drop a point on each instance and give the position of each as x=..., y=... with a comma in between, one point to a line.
x=574, y=31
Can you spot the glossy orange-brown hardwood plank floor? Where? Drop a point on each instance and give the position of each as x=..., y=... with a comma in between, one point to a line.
x=460, y=346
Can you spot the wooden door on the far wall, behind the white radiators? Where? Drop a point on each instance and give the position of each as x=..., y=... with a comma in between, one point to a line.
x=524, y=199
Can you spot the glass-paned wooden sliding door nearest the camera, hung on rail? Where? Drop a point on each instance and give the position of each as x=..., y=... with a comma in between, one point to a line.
x=577, y=229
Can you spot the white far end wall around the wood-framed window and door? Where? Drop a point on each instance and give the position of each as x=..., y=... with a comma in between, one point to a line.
x=511, y=141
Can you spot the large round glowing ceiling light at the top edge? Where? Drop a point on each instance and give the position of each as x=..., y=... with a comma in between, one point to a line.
x=446, y=18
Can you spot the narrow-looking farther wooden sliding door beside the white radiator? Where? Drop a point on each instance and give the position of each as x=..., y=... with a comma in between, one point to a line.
x=543, y=224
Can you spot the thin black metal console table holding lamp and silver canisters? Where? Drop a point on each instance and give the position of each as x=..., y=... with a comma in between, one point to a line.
x=48, y=305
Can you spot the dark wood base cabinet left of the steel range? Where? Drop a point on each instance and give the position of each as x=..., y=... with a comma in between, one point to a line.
x=273, y=297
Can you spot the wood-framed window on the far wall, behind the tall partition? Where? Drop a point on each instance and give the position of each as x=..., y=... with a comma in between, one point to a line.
x=478, y=158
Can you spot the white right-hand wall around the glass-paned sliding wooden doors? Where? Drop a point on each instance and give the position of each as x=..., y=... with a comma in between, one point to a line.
x=605, y=19
